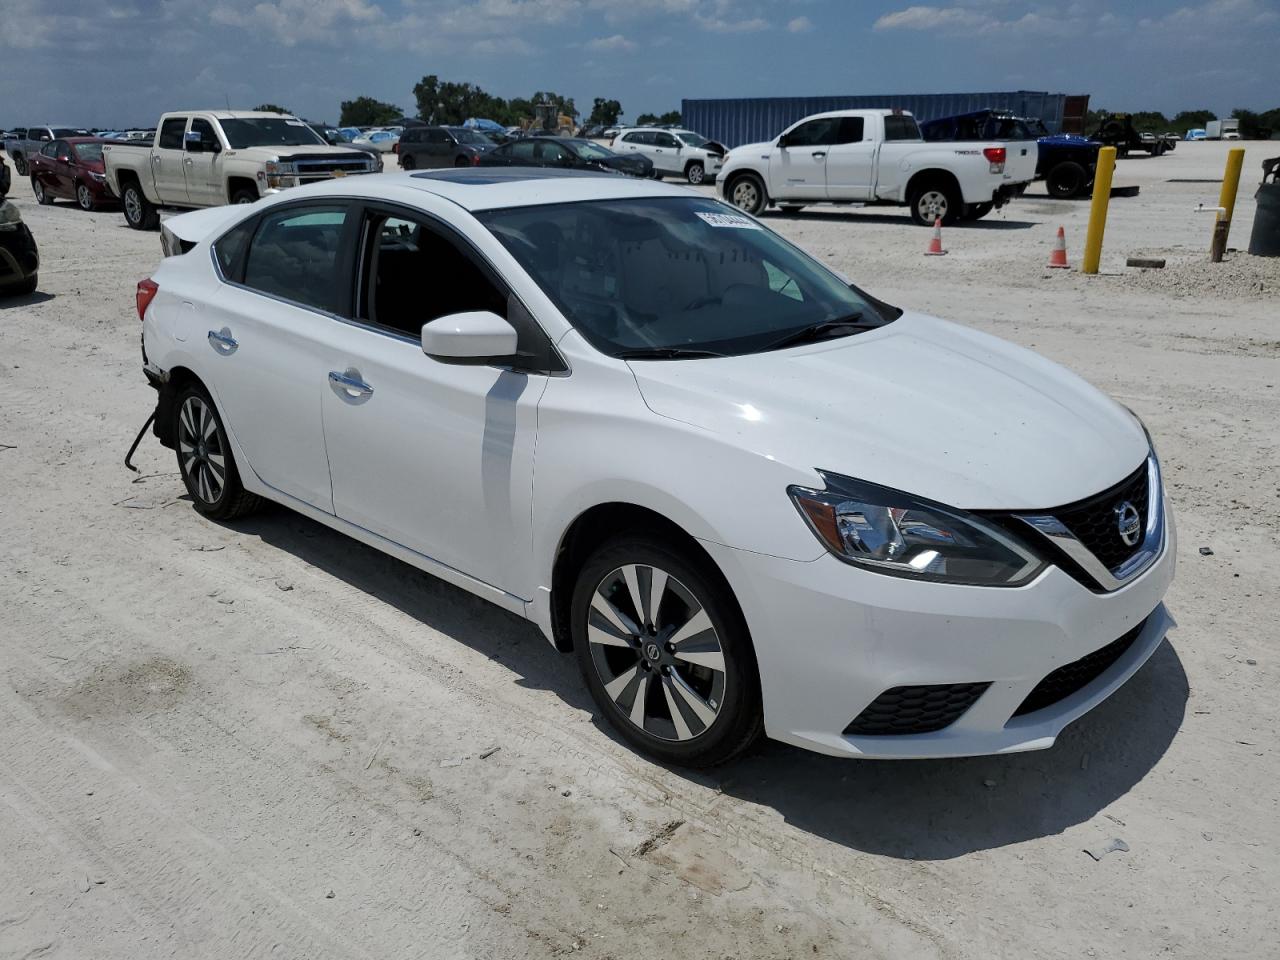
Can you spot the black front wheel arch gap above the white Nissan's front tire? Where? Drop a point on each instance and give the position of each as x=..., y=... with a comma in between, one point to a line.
x=600, y=524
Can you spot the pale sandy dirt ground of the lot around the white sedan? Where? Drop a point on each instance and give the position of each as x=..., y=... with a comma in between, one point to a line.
x=266, y=740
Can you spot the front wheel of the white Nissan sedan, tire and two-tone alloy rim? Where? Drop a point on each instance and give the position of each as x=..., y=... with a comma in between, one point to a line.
x=666, y=653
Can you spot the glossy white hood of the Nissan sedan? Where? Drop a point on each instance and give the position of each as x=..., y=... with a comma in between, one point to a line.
x=921, y=405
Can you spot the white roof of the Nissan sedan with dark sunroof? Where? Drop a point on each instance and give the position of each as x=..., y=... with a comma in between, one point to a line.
x=496, y=188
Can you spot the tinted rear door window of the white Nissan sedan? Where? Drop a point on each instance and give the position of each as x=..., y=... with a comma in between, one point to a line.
x=295, y=255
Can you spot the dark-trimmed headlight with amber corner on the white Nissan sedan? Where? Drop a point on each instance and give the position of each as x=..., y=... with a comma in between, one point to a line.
x=903, y=536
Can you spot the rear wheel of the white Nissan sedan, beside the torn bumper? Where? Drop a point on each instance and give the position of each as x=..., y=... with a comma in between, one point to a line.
x=205, y=459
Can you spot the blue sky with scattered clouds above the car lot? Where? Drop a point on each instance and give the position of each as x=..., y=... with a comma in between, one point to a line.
x=125, y=62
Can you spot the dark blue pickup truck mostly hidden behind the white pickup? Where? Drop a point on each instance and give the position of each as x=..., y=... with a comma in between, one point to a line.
x=1067, y=162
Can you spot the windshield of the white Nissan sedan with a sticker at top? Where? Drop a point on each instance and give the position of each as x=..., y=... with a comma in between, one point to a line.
x=664, y=277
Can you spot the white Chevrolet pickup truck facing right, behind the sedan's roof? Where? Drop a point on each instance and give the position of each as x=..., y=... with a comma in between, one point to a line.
x=208, y=158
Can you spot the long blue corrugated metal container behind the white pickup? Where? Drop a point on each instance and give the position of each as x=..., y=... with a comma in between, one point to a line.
x=753, y=120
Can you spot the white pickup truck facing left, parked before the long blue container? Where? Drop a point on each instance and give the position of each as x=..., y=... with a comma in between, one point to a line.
x=876, y=157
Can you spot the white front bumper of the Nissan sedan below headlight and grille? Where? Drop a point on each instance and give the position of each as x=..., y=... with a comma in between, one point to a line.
x=831, y=638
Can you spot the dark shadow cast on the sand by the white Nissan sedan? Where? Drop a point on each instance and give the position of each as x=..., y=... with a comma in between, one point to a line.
x=907, y=810
